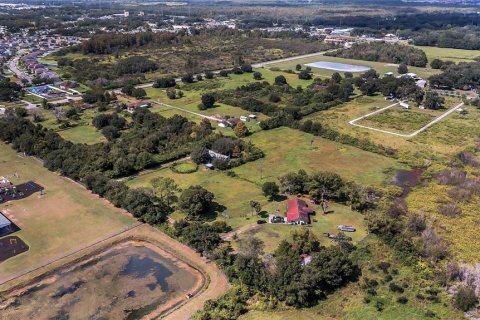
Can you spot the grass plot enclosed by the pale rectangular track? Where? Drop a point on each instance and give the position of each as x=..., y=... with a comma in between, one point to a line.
x=398, y=120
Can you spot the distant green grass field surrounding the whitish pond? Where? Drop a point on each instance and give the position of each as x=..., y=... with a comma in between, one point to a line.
x=380, y=67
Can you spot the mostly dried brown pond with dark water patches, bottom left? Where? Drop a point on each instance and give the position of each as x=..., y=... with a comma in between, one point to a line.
x=126, y=282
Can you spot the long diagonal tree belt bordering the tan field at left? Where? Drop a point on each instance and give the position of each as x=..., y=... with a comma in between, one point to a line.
x=83, y=163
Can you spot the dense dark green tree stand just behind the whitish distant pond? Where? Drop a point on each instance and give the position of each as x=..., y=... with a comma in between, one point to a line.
x=383, y=52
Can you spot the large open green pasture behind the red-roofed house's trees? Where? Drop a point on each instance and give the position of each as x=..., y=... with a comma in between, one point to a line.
x=288, y=150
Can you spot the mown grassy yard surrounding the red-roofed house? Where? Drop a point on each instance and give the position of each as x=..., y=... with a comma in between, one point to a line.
x=272, y=234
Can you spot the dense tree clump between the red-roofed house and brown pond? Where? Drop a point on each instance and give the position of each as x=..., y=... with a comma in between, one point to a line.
x=292, y=280
